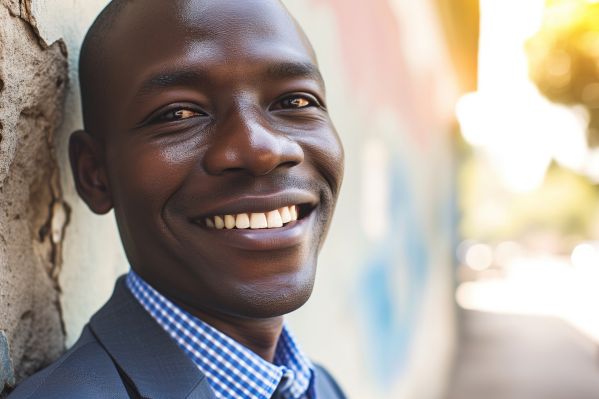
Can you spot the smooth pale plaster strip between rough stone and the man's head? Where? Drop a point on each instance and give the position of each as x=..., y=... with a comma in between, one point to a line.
x=92, y=252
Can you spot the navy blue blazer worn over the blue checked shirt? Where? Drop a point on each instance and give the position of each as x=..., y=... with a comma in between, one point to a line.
x=124, y=353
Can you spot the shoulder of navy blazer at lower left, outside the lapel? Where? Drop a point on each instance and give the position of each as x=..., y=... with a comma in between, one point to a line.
x=85, y=371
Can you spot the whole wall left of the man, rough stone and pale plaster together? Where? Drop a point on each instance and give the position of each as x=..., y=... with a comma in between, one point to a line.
x=58, y=261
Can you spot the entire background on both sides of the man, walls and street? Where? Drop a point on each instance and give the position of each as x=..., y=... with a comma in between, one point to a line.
x=463, y=261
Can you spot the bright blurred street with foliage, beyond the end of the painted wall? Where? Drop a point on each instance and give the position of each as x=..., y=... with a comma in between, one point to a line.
x=527, y=260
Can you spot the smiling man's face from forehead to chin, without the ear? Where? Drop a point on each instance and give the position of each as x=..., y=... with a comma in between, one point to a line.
x=215, y=111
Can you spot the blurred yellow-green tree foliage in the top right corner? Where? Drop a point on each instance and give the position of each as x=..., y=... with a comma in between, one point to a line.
x=564, y=57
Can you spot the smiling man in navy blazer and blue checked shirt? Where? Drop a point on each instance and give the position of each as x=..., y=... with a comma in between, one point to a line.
x=206, y=130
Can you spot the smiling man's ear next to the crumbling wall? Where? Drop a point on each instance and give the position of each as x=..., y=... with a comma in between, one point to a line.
x=86, y=154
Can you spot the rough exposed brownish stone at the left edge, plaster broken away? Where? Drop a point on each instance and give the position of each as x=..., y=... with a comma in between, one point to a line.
x=33, y=214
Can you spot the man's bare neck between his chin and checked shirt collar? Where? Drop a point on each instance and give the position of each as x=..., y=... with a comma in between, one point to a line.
x=259, y=335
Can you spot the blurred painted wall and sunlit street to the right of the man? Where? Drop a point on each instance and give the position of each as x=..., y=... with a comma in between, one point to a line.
x=466, y=235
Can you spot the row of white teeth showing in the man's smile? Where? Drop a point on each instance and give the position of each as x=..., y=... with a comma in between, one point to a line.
x=276, y=218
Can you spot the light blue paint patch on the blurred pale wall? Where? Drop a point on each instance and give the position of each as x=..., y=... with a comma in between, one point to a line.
x=390, y=321
